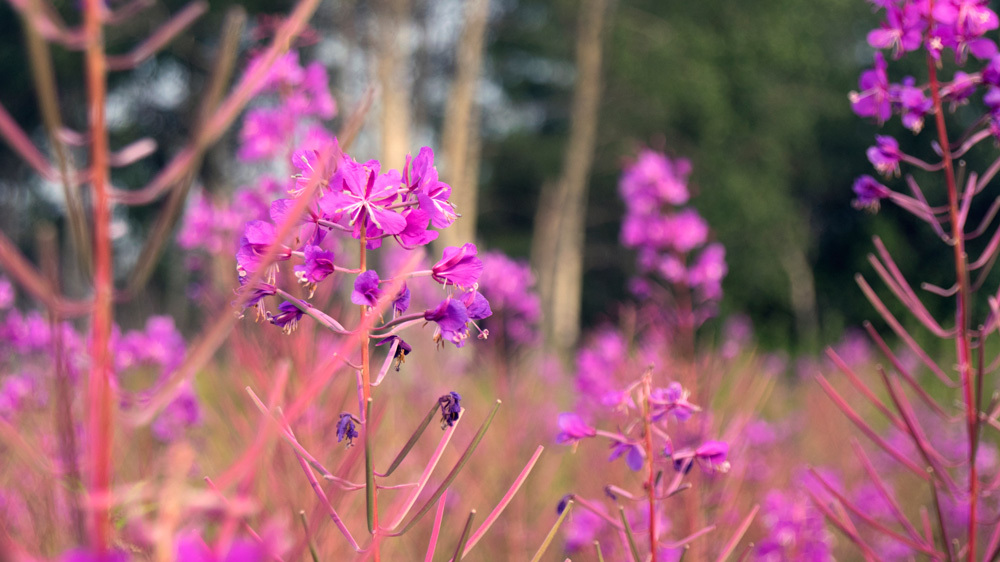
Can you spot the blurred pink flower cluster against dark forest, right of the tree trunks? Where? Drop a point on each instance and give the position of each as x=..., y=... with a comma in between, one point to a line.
x=672, y=240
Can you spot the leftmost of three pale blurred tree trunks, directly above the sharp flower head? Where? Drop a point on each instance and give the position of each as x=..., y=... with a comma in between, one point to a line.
x=392, y=62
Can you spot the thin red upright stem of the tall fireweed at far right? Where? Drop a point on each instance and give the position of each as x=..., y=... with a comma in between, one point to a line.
x=961, y=278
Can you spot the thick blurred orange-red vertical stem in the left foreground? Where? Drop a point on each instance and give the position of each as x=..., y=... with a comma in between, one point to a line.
x=99, y=389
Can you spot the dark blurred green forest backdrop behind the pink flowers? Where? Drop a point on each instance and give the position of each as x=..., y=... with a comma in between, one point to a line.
x=754, y=93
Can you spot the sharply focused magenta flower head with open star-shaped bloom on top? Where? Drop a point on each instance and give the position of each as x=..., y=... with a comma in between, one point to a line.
x=364, y=202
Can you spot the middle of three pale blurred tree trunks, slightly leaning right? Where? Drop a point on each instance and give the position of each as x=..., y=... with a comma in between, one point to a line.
x=460, y=138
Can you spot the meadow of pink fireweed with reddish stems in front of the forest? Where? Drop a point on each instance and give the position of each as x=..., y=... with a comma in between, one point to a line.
x=357, y=391
